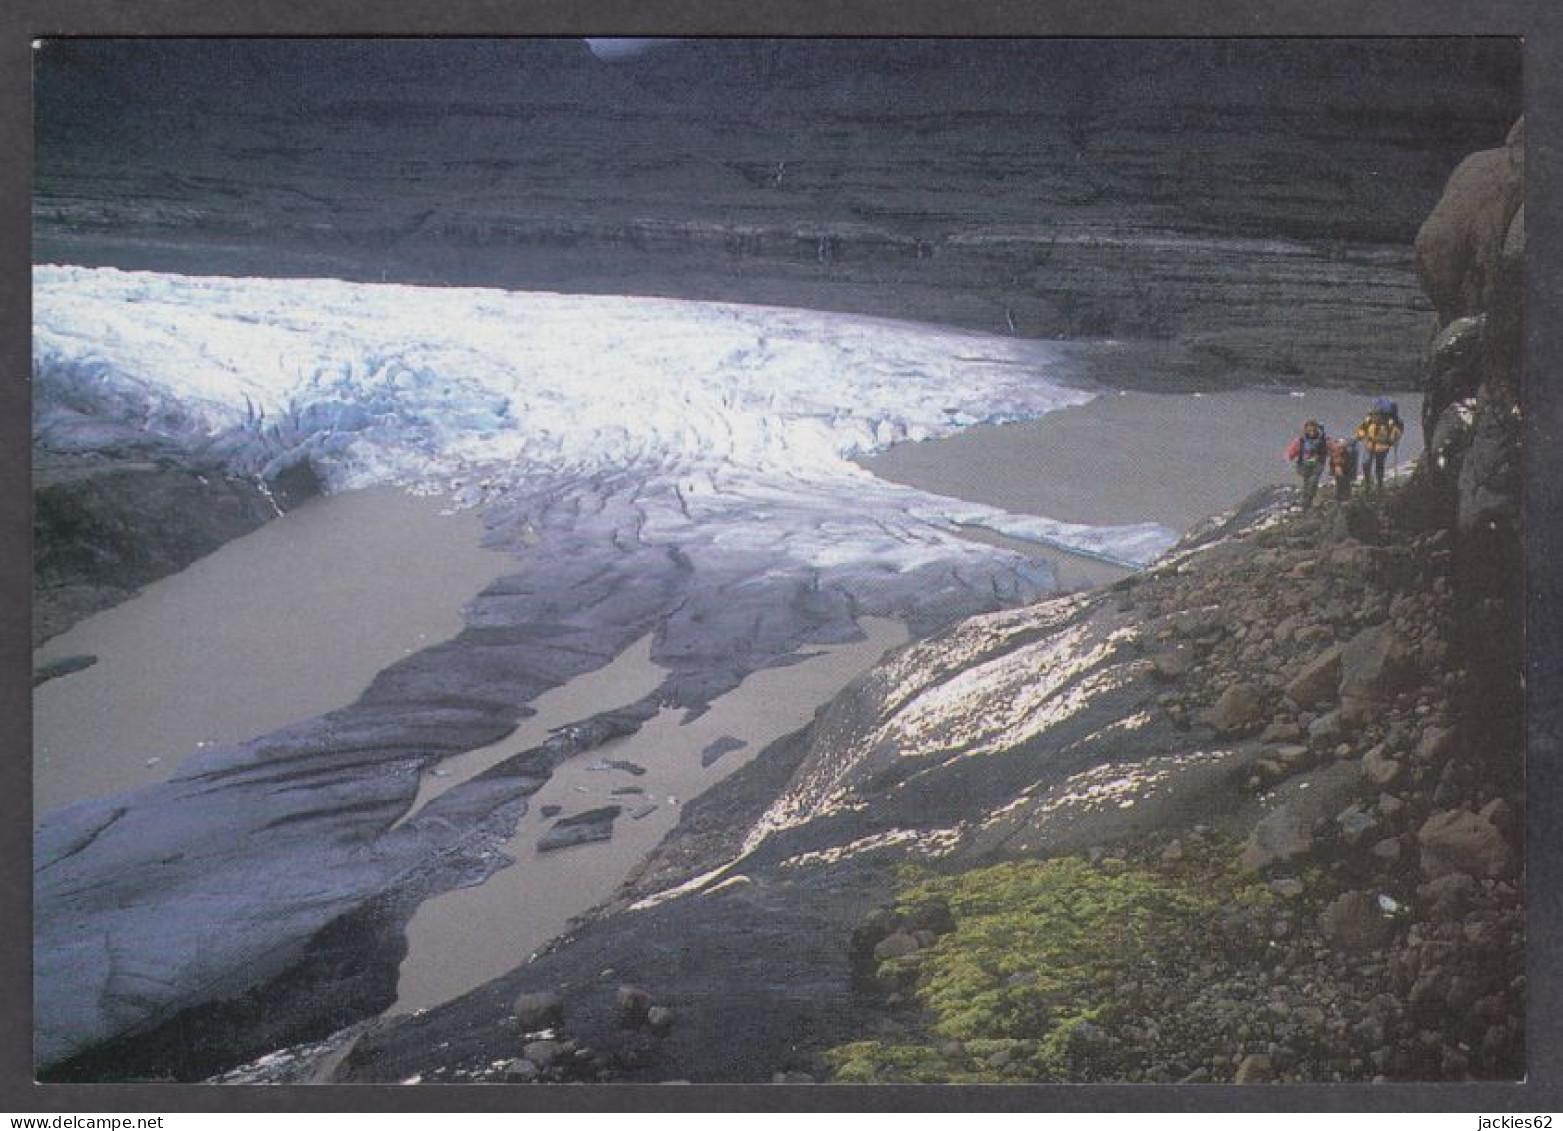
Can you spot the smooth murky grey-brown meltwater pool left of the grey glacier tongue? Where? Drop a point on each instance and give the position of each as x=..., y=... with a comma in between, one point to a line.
x=285, y=624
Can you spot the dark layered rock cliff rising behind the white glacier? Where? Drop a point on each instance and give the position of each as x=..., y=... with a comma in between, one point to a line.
x=1043, y=188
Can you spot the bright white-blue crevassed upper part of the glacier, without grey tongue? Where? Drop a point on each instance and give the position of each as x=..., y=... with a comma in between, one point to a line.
x=732, y=416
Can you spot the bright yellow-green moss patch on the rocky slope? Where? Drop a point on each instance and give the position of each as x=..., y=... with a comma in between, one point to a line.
x=1025, y=987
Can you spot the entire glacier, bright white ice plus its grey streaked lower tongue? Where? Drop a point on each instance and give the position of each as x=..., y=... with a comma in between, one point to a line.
x=654, y=466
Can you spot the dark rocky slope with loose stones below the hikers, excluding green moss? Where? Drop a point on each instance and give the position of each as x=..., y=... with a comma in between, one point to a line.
x=1282, y=698
